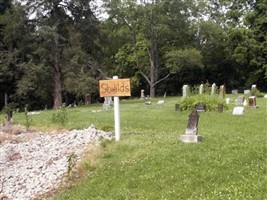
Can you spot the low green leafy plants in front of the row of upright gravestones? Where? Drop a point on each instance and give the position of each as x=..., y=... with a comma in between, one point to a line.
x=210, y=102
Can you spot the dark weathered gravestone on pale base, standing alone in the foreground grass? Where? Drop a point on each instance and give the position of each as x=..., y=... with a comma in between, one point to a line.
x=191, y=132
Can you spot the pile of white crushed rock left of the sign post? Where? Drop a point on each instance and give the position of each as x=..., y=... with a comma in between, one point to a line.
x=34, y=166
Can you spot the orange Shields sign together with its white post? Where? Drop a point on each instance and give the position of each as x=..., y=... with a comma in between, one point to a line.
x=115, y=88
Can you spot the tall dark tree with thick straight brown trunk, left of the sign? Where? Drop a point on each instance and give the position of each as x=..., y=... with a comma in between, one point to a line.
x=54, y=22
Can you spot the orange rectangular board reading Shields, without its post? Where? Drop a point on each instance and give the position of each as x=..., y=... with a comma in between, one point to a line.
x=115, y=87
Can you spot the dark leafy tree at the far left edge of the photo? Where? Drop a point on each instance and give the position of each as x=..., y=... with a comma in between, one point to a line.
x=14, y=37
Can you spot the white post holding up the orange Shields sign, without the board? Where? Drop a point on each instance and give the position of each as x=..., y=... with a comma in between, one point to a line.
x=117, y=116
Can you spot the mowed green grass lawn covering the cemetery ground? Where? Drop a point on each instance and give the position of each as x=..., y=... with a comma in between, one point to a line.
x=151, y=163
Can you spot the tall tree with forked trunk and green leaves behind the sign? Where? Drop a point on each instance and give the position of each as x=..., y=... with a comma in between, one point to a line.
x=151, y=27
